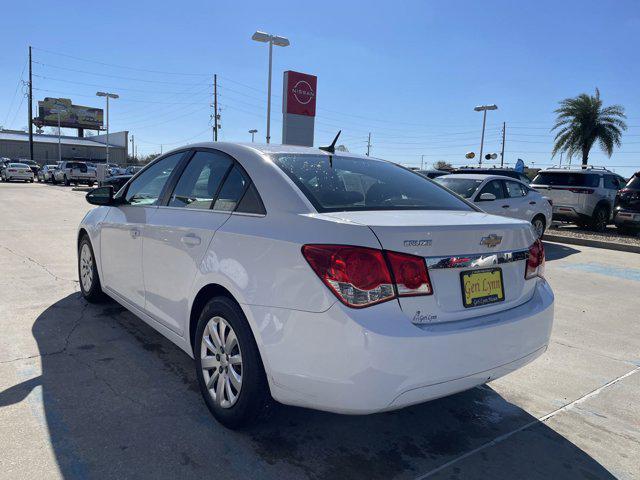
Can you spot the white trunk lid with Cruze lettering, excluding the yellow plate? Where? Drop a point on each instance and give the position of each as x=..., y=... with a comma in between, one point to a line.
x=452, y=243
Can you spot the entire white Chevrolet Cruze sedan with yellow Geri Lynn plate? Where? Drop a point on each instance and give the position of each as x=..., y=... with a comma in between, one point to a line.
x=324, y=280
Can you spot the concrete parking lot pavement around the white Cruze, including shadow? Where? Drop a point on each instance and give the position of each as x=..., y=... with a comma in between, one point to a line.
x=89, y=391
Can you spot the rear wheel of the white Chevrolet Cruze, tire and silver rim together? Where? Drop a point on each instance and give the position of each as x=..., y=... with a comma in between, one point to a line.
x=228, y=365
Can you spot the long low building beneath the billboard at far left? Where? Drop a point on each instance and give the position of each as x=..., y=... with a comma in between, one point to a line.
x=15, y=144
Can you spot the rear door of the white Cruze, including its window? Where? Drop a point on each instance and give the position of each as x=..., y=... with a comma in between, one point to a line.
x=180, y=232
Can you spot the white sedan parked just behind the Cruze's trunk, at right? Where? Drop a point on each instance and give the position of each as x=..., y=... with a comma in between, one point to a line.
x=502, y=196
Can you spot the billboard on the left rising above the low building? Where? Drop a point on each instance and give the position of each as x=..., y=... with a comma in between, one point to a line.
x=71, y=116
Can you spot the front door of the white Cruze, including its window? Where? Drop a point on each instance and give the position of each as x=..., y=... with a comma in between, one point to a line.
x=123, y=229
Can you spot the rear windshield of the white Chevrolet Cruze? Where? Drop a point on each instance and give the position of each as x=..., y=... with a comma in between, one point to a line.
x=350, y=183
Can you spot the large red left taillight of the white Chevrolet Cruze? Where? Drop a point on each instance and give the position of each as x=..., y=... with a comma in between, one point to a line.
x=361, y=276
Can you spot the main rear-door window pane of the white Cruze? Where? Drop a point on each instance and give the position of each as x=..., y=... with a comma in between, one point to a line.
x=200, y=181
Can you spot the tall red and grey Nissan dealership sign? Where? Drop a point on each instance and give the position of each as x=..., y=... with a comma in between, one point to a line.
x=298, y=108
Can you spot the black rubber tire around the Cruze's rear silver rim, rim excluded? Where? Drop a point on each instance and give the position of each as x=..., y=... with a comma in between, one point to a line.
x=253, y=396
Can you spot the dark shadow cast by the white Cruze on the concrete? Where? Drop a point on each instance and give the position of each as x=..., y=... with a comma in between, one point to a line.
x=120, y=401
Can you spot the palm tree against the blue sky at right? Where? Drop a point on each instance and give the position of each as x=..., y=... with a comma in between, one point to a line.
x=583, y=121
